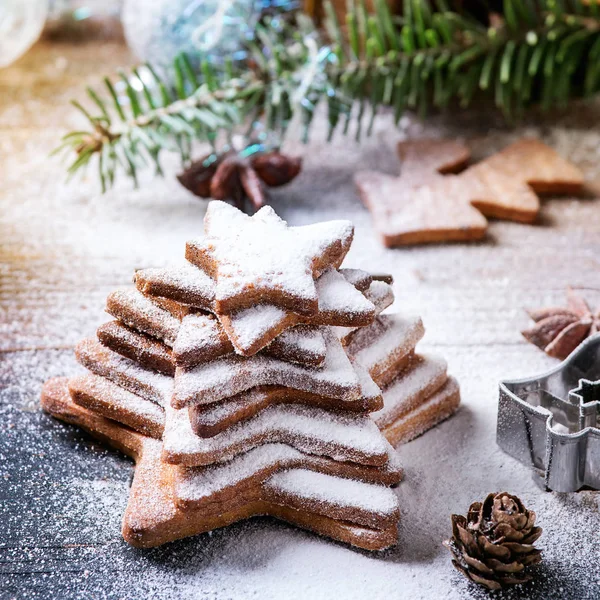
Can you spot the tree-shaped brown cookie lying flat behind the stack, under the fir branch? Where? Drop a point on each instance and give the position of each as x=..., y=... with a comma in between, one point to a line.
x=424, y=206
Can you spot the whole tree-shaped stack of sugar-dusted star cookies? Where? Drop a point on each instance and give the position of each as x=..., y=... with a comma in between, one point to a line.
x=242, y=384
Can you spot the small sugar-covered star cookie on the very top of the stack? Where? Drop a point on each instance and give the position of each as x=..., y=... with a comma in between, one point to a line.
x=260, y=259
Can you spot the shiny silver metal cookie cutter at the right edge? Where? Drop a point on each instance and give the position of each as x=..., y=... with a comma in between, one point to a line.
x=552, y=422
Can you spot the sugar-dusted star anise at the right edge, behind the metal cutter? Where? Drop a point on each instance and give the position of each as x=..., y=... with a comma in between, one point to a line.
x=558, y=331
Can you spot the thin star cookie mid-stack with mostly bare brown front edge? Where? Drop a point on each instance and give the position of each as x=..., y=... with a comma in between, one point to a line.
x=209, y=419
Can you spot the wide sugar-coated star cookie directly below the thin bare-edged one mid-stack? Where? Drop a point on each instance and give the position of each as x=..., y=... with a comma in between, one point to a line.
x=354, y=438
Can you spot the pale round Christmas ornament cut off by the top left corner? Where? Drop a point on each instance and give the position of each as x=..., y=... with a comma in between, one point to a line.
x=21, y=23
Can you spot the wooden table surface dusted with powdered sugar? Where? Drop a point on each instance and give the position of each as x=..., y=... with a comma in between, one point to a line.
x=64, y=247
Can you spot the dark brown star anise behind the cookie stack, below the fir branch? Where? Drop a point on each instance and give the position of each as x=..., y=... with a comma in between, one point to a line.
x=233, y=176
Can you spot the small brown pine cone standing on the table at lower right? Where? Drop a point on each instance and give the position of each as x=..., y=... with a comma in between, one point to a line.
x=492, y=546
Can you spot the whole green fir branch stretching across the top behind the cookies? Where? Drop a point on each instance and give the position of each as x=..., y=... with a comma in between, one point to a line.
x=538, y=52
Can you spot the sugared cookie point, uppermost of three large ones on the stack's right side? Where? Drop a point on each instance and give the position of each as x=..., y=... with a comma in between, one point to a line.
x=386, y=347
